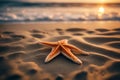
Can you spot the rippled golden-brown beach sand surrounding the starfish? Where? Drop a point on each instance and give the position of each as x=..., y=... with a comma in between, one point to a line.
x=22, y=56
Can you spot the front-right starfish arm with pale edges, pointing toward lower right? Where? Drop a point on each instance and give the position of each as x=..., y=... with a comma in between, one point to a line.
x=66, y=52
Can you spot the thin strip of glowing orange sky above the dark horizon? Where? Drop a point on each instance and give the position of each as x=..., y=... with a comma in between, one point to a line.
x=84, y=1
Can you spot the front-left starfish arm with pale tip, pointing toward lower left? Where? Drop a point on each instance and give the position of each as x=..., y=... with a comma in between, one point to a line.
x=55, y=51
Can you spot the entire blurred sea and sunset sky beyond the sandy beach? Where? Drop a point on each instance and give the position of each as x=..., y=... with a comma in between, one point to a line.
x=12, y=11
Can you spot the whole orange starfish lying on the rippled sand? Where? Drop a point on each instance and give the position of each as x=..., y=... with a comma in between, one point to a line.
x=63, y=47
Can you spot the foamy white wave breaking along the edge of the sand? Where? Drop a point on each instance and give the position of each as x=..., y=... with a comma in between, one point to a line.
x=62, y=17
